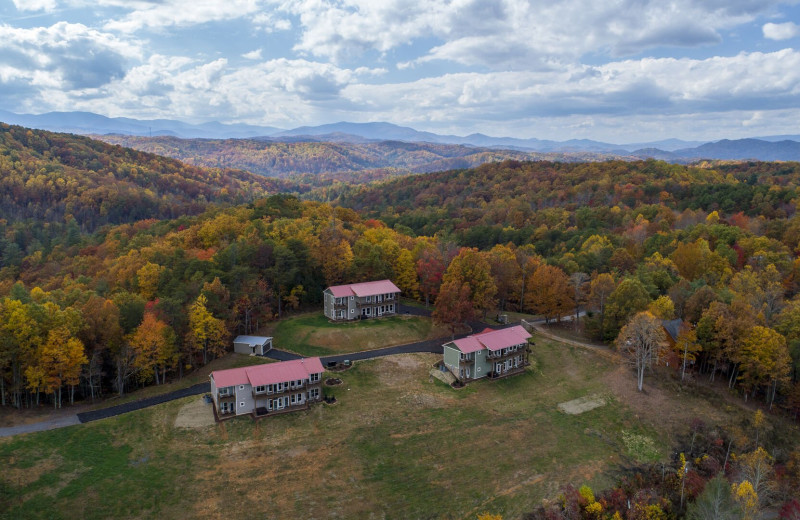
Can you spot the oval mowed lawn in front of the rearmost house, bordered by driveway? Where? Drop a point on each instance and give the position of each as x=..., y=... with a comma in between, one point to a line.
x=313, y=335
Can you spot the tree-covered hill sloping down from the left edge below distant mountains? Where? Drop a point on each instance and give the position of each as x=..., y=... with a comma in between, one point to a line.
x=49, y=176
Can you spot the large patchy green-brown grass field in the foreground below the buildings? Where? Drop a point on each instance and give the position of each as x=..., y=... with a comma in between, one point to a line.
x=395, y=445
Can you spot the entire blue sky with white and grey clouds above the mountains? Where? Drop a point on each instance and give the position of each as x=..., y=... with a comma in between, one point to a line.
x=618, y=71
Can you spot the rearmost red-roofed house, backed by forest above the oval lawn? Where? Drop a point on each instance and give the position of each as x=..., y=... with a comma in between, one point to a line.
x=361, y=300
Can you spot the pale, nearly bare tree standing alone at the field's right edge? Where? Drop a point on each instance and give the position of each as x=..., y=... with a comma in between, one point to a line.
x=642, y=341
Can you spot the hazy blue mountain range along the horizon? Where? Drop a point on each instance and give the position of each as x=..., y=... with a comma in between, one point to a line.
x=767, y=148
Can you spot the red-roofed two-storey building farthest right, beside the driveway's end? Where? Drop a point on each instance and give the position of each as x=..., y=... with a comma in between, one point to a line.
x=492, y=354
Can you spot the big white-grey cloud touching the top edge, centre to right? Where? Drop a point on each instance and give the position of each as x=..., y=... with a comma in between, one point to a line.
x=504, y=34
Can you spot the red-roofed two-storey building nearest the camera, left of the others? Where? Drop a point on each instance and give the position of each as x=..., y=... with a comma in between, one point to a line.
x=268, y=389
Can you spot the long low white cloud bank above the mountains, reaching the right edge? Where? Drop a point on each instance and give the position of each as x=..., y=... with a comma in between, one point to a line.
x=627, y=88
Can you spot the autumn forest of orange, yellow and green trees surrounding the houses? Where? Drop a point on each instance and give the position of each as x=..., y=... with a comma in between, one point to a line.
x=98, y=301
